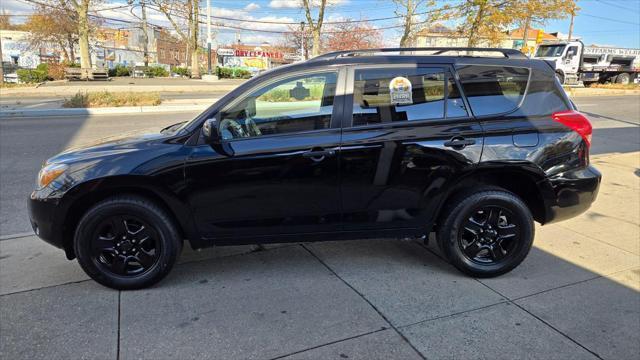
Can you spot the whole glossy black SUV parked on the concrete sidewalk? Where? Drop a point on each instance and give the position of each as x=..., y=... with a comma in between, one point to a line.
x=474, y=144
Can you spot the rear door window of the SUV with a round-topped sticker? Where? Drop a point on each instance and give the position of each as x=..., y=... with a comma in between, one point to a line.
x=404, y=94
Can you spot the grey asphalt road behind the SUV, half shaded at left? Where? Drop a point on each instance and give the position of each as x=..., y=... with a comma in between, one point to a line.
x=26, y=142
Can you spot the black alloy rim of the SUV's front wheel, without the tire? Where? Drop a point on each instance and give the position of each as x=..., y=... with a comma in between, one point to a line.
x=125, y=246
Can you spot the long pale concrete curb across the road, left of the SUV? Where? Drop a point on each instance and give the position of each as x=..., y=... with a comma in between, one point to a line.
x=19, y=113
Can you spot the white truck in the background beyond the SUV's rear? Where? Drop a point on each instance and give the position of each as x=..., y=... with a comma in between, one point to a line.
x=576, y=63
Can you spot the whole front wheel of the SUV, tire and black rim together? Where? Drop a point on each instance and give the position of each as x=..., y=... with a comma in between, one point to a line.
x=127, y=242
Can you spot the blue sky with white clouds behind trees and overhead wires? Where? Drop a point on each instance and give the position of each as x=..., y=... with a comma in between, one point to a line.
x=602, y=22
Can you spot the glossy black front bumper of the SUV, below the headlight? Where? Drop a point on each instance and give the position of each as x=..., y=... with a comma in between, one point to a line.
x=44, y=217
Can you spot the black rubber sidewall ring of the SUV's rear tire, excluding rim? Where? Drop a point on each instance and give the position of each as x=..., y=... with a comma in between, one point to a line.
x=461, y=213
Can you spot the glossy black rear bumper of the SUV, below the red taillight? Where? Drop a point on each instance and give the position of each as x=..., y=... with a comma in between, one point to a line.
x=574, y=191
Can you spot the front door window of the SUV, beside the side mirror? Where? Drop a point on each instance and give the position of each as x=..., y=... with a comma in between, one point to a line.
x=295, y=104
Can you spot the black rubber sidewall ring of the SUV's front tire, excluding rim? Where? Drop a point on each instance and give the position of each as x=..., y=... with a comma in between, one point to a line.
x=166, y=239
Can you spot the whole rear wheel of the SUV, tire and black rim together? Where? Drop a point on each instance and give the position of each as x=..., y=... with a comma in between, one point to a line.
x=463, y=233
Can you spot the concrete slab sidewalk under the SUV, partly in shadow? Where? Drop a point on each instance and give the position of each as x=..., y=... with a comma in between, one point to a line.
x=575, y=297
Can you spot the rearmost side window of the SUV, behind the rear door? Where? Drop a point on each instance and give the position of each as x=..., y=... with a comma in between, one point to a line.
x=493, y=90
